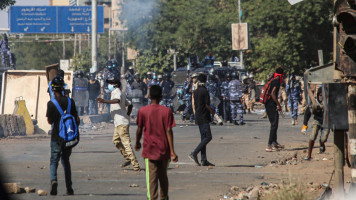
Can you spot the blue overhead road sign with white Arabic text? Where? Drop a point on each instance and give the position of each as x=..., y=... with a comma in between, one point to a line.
x=53, y=19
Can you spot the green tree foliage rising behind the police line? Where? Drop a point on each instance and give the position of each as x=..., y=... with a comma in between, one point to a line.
x=280, y=34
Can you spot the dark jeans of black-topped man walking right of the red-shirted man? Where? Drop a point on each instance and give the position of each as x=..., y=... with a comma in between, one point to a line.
x=206, y=137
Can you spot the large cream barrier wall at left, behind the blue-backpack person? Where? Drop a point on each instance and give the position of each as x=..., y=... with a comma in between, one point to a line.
x=32, y=86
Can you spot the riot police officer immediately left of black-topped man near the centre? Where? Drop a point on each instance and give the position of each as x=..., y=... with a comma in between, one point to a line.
x=187, y=98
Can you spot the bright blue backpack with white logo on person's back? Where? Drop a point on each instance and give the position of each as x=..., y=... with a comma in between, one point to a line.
x=68, y=128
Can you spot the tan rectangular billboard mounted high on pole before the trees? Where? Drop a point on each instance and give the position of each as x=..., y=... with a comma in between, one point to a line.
x=239, y=36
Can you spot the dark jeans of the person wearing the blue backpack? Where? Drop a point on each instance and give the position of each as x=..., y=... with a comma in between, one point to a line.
x=56, y=154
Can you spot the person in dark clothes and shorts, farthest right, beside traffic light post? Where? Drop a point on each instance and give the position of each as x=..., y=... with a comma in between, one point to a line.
x=317, y=126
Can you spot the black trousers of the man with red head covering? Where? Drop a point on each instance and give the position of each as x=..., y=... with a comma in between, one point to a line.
x=273, y=116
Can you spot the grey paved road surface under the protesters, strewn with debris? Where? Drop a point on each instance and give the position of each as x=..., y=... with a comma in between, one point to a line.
x=95, y=162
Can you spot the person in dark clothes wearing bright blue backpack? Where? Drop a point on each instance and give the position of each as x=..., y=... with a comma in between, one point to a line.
x=63, y=116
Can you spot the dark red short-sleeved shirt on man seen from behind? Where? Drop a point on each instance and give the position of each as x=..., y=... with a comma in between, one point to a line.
x=155, y=120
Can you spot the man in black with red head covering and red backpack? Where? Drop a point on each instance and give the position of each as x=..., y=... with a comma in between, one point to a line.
x=272, y=109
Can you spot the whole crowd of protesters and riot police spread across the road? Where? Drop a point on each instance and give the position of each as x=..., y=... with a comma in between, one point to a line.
x=207, y=98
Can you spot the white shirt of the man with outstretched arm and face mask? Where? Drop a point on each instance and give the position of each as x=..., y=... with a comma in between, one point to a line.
x=118, y=110
